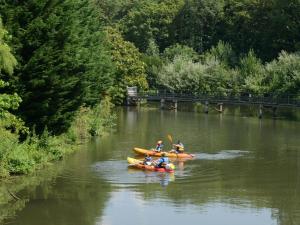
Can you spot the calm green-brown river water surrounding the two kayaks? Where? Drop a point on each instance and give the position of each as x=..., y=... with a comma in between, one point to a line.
x=246, y=172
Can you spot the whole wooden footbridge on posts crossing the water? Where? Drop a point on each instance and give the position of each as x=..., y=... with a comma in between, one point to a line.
x=261, y=102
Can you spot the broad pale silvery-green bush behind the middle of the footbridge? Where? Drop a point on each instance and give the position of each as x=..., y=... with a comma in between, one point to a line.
x=210, y=77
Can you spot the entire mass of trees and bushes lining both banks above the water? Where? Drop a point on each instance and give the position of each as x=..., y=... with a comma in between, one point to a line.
x=63, y=63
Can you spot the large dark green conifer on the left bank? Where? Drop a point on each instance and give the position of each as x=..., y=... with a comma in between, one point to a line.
x=63, y=59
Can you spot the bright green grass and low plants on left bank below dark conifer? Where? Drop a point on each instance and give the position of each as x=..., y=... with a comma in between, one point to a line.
x=18, y=158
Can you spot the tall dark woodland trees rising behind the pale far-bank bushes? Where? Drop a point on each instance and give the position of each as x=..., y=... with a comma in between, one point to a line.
x=267, y=26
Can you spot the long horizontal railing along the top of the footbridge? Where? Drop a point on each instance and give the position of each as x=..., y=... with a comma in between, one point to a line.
x=289, y=100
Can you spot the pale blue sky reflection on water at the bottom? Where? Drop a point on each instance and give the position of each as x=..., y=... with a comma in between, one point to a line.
x=134, y=209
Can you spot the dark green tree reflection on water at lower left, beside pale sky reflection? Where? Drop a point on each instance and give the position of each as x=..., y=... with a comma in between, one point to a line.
x=64, y=193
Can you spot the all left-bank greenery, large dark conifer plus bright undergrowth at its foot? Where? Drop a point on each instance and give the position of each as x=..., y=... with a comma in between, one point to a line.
x=62, y=65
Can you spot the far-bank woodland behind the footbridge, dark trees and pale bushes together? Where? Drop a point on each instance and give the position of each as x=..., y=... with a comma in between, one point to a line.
x=234, y=44
